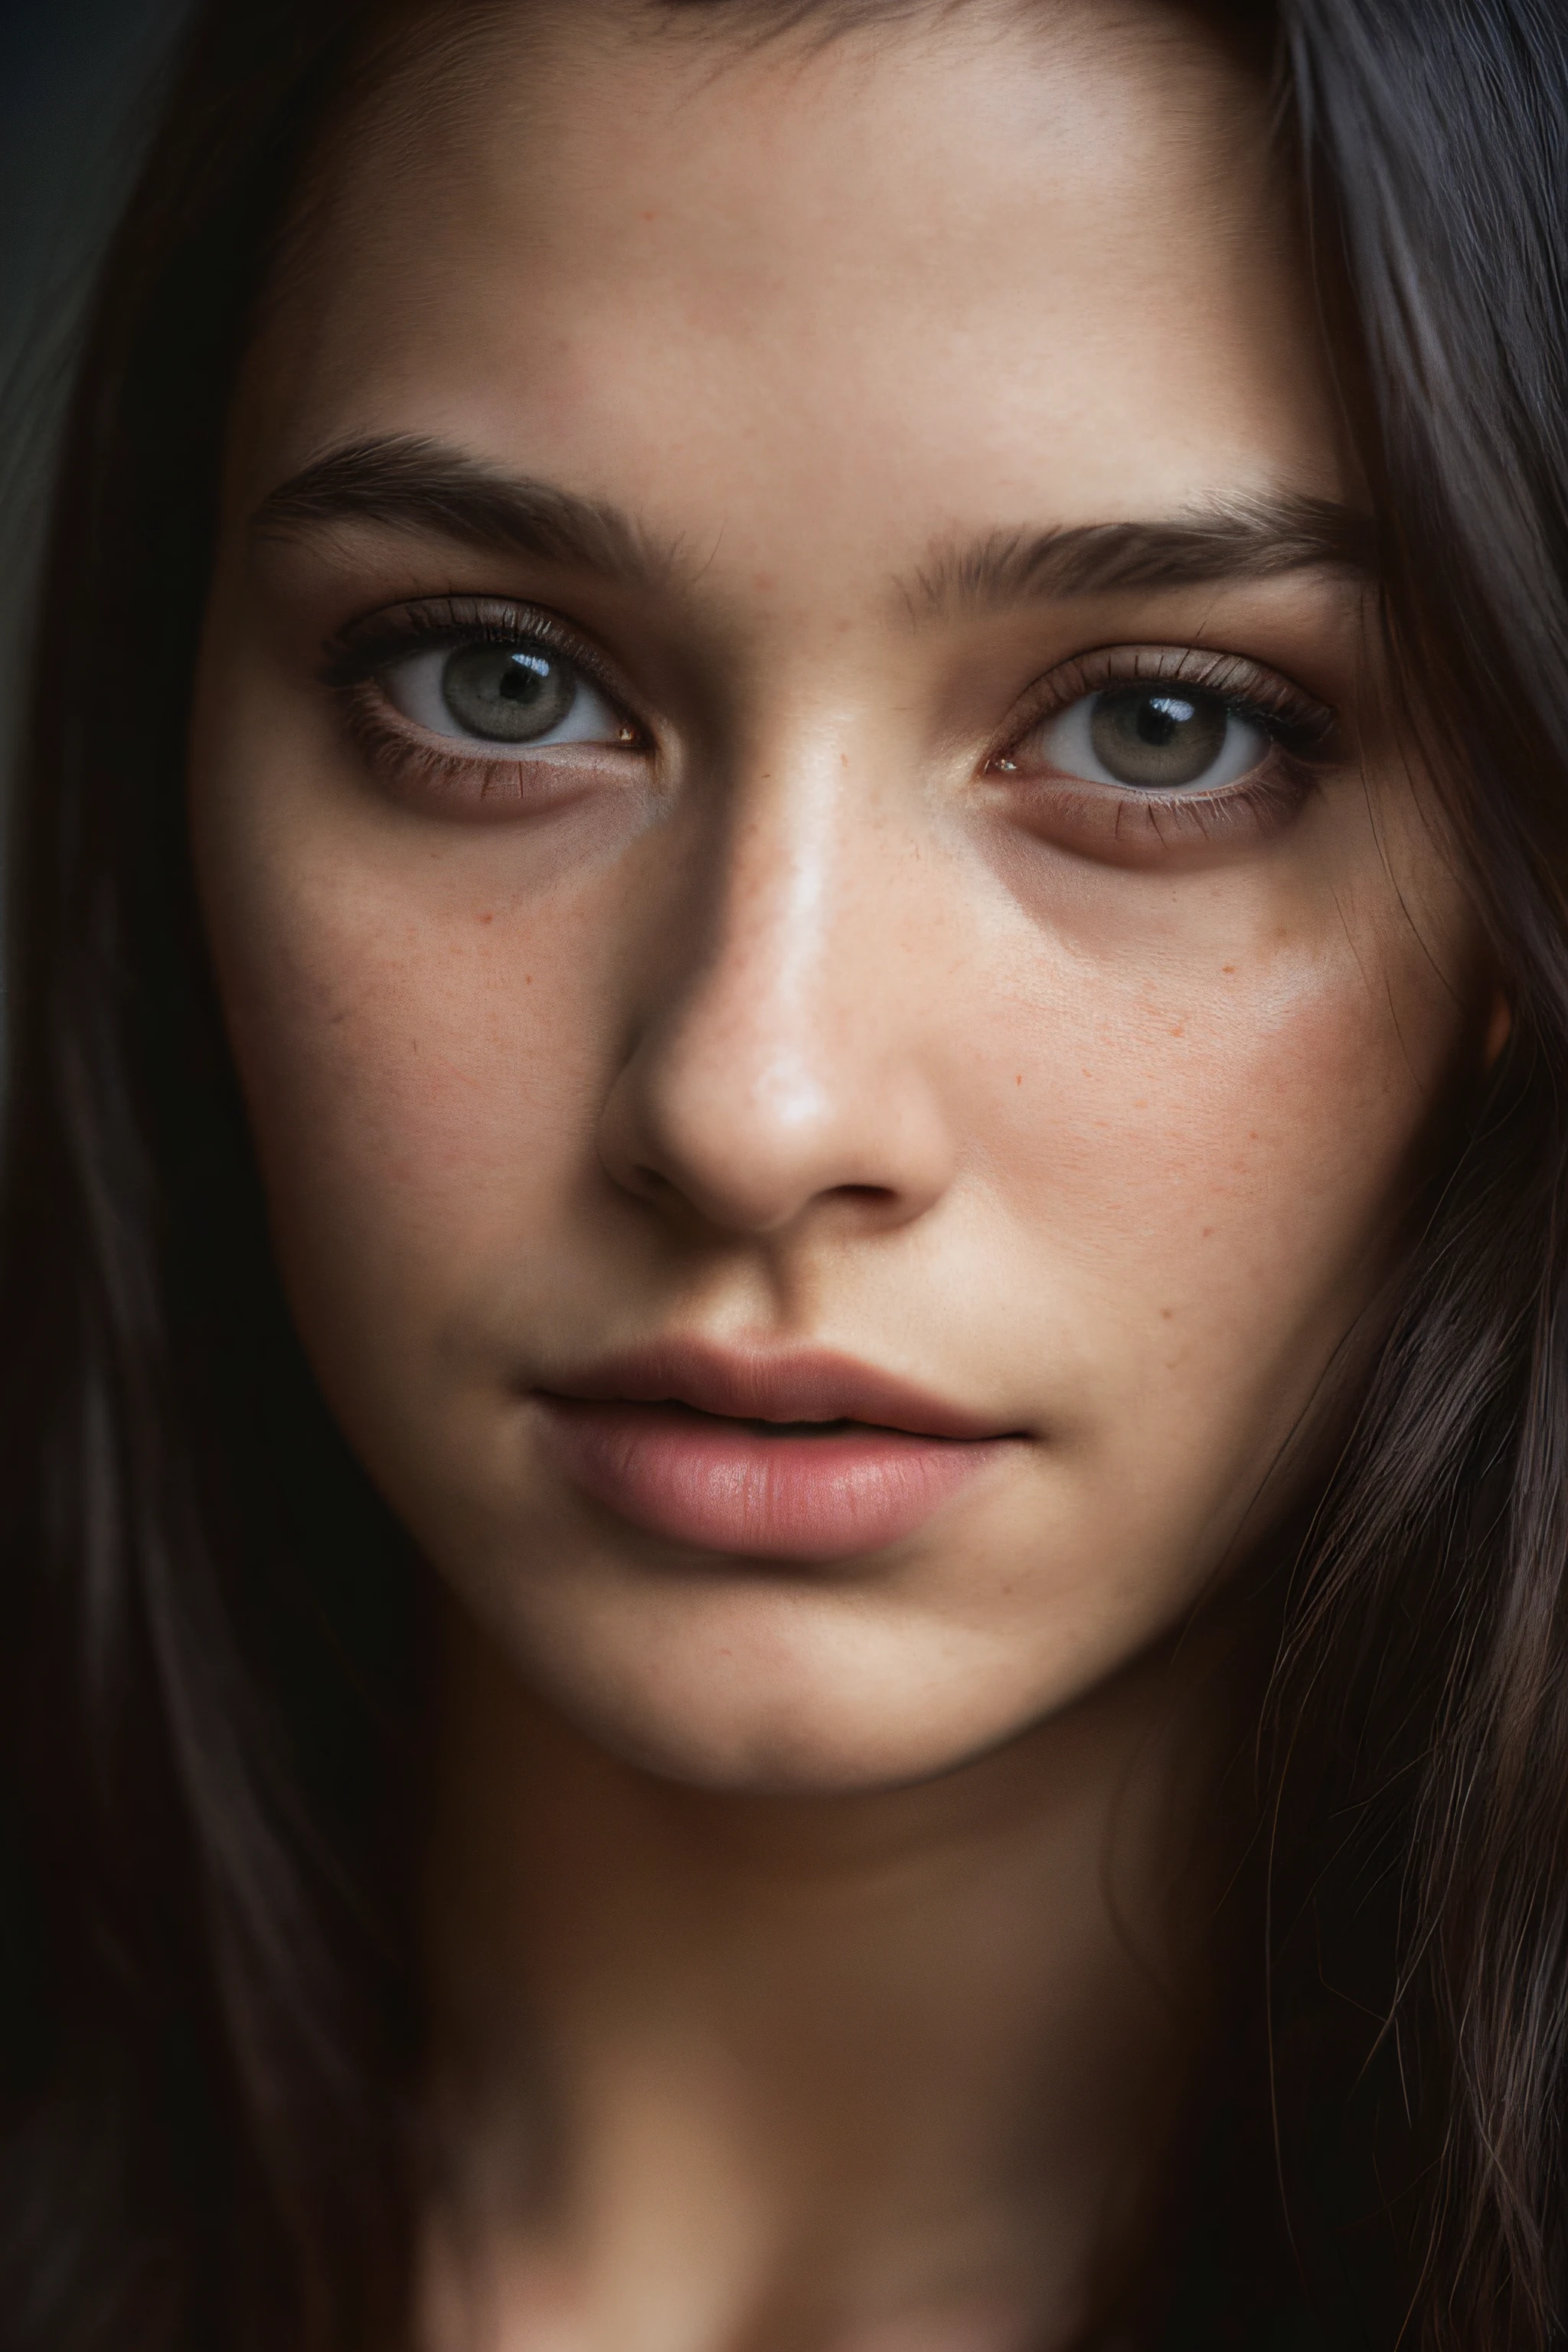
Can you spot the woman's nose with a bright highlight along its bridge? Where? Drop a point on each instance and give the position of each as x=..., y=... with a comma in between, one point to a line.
x=784, y=1055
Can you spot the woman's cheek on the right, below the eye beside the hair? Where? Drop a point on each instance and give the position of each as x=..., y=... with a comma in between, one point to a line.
x=1209, y=1151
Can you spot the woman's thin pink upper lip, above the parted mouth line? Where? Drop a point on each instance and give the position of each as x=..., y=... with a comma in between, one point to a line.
x=770, y=1384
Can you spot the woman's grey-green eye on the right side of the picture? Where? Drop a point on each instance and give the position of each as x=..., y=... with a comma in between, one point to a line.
x=1153, y=737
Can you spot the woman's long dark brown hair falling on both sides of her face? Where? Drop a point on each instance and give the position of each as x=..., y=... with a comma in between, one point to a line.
x=208, y=1622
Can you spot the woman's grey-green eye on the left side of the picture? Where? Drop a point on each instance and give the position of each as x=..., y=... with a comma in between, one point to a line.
x=511, y=695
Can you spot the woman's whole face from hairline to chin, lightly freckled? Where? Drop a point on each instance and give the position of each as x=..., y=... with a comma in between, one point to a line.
x=836, y=973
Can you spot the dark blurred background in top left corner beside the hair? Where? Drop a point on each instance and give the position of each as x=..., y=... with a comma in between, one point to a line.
x=76, y=91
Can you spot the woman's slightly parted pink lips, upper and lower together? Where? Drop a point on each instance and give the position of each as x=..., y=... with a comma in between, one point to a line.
x=676, y=1441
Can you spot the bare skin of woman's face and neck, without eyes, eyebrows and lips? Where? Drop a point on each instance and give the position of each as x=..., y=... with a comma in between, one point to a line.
x=803, y=1937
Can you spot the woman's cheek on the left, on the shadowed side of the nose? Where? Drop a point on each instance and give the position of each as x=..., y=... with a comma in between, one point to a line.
x=422, y=1048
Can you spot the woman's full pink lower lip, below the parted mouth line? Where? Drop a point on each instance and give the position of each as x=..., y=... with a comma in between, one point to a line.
x=730, y=1488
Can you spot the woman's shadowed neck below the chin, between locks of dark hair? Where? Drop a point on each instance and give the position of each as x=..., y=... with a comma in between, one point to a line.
x=810, y=2071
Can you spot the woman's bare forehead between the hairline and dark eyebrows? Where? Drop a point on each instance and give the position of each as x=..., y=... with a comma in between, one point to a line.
x=970, y=267
